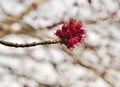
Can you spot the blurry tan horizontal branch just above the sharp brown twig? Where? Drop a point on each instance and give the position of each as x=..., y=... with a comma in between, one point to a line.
x=6, y=29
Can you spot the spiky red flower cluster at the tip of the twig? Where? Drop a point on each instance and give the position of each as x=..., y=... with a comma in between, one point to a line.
x=71, y=34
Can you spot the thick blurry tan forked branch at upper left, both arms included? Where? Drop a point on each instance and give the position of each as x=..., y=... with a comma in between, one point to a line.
x=5, y=26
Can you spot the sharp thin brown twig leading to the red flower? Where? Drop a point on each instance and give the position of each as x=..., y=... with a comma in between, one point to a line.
x=10, y=44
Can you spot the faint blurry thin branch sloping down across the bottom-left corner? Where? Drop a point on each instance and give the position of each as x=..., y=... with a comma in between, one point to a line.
x=14, y=72
